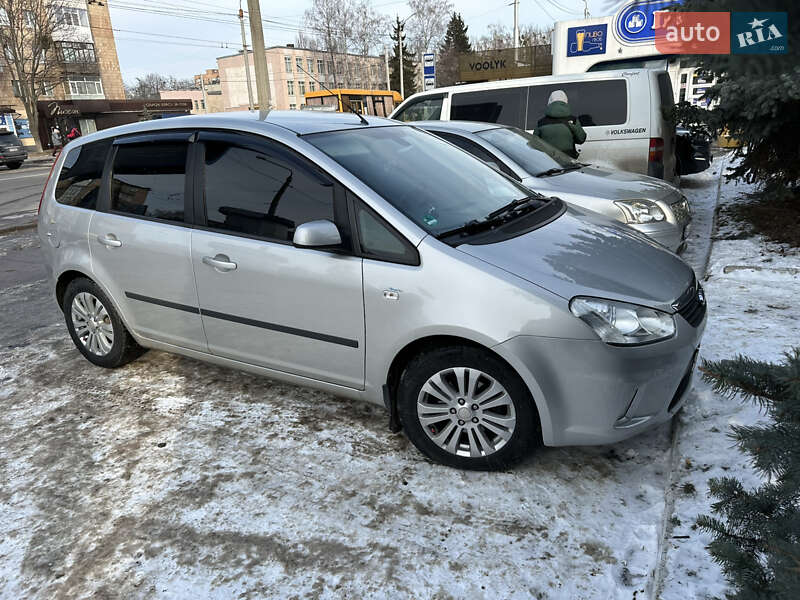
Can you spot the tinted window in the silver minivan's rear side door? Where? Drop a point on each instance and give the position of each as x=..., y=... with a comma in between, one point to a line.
x=149, y=180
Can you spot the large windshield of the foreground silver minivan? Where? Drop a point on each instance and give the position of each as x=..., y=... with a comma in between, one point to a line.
x=432, y=182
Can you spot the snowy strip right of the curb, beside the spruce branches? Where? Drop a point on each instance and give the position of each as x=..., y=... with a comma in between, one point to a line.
x=752, y=288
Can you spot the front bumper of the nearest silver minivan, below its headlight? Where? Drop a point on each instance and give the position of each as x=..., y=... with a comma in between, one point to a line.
x=600, y=394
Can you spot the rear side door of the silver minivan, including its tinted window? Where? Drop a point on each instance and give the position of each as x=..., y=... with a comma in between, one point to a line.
x=140, y=238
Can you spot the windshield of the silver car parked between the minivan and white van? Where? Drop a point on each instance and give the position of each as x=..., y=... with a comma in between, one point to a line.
x=529, y=151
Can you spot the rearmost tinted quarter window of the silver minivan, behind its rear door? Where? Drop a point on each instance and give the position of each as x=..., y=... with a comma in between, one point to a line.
x=81, y=175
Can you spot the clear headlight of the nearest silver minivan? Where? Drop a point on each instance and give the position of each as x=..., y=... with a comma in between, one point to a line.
x=623, y=323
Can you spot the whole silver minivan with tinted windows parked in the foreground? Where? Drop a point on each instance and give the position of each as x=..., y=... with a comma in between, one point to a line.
x=374, y=261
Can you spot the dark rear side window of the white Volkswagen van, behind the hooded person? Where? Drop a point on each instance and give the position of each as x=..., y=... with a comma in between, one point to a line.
x=592, y=102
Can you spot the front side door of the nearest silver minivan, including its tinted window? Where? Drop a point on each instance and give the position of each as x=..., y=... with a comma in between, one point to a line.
x=264, y=301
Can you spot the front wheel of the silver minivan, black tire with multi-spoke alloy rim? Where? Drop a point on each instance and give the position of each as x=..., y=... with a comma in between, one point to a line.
x=439, y=387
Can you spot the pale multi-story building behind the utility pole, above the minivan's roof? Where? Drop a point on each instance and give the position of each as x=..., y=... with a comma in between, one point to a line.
x=295, y=71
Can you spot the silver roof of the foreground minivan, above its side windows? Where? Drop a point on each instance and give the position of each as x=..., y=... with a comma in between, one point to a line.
x=297, y=121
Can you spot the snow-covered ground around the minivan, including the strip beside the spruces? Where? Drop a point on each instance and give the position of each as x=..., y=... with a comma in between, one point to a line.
x=176, y=479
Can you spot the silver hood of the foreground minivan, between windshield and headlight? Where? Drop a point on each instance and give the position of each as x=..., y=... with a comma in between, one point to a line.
x=585, y=254
